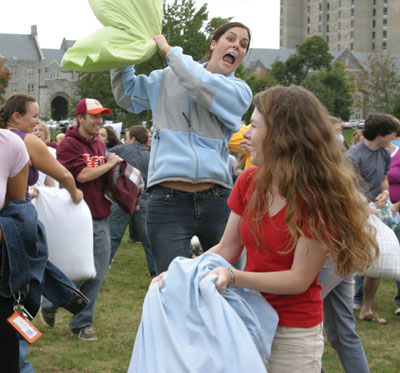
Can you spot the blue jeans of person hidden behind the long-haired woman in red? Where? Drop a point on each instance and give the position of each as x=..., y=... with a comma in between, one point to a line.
x=339, y=323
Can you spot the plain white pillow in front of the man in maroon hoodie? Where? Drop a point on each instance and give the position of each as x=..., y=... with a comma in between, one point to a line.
x=69, y=232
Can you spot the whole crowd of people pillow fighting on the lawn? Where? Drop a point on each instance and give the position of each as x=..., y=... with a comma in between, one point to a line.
x=296, y=203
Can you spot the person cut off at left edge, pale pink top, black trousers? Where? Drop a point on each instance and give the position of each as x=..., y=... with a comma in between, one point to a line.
x=13, y=183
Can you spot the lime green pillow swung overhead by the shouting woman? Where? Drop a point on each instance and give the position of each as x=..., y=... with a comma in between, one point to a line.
x=125, y=40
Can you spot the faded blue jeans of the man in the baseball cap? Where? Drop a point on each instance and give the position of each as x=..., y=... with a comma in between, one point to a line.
x=90, y=287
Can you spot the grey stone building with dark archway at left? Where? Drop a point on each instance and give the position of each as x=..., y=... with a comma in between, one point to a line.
x=38, y=72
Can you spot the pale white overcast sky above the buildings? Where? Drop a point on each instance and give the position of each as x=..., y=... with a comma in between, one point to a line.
x=74, y=19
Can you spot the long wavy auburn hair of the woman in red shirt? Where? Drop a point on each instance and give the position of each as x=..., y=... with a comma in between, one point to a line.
x=303, y=159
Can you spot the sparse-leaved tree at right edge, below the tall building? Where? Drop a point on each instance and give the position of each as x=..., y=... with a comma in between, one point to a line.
x=377, y=86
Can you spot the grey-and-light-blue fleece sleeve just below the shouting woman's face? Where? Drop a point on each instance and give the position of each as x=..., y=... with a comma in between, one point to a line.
x=226, y=97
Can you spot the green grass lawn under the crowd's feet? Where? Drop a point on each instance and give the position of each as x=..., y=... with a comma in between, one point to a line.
x=118, y=313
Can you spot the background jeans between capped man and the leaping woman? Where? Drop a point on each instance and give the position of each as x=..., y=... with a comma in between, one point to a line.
x=119, y=220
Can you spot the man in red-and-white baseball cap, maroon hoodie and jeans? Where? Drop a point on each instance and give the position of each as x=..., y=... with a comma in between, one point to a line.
x=83, y=153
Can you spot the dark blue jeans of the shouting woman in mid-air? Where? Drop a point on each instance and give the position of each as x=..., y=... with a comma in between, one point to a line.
x=174, y=217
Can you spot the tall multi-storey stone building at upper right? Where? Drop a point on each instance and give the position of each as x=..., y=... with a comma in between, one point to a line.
x=357, y=25
